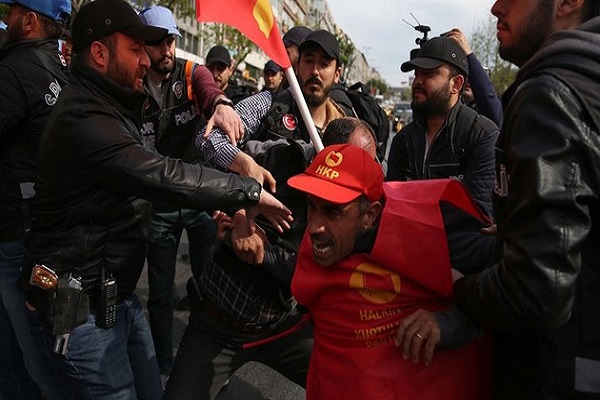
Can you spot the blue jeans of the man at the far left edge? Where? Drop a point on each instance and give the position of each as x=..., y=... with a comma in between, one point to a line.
x=21, y=353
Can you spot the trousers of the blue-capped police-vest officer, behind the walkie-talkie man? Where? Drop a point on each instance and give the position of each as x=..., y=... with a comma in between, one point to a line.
x=165, y=234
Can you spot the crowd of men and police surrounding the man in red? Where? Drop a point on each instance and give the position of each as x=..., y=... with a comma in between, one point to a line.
x=468, y=271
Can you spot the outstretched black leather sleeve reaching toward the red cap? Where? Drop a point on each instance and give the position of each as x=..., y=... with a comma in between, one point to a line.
x=114, y=158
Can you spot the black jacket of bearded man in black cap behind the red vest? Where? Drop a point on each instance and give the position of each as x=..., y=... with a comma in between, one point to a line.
x=463, y=150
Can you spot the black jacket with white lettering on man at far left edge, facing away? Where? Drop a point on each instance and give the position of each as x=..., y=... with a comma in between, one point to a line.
x=32, y=76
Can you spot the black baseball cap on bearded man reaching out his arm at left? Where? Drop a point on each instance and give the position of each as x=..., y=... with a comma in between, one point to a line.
x=102, y=18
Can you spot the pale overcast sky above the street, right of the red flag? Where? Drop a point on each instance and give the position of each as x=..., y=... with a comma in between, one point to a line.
x=377, y=29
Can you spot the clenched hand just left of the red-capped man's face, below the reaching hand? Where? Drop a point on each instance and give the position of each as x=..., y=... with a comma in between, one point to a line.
x=247, y=241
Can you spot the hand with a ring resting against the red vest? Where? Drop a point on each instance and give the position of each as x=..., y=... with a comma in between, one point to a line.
x=420, y=330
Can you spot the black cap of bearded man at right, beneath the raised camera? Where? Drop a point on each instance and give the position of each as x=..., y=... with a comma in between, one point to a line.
x=438, y=51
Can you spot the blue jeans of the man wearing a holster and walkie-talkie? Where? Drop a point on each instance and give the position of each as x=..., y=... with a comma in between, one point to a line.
x=113, y=364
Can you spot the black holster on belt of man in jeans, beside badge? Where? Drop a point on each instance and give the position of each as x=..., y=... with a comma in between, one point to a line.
x=63, y=308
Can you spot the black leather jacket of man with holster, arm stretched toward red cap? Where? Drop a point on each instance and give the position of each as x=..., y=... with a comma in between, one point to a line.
x=96, y=180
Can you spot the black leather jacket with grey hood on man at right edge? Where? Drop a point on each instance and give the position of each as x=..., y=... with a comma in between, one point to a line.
x=544, y=295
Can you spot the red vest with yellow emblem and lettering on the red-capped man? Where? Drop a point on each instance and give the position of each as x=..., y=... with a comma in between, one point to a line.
x=357, y=304
